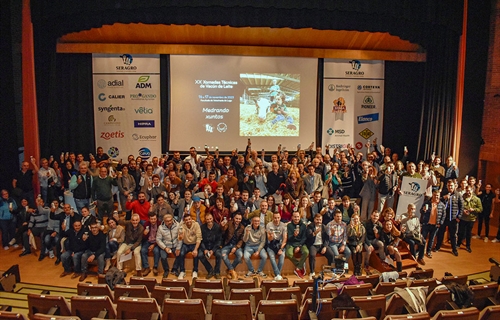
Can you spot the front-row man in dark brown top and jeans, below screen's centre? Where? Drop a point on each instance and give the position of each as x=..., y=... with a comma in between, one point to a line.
x=233, y=241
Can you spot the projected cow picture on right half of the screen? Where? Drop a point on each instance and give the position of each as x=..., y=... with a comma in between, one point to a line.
x=270, y=105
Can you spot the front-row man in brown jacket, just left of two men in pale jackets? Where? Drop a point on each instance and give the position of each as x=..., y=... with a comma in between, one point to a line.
x=149, y=245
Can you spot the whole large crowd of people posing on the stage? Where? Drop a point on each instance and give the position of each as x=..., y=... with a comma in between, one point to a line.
x=239, y=207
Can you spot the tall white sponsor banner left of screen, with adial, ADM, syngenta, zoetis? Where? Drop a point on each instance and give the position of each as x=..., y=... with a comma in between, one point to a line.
x=127, y=104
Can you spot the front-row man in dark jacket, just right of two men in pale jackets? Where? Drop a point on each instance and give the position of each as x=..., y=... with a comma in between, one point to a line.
x=211, y=246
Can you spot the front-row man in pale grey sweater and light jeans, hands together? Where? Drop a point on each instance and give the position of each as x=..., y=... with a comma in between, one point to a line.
x=255, y=240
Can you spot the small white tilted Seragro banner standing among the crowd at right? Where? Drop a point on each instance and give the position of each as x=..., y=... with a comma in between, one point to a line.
x=412, y=191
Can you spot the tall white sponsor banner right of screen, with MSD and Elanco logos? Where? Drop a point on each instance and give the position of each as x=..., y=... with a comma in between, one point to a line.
x=353, y=100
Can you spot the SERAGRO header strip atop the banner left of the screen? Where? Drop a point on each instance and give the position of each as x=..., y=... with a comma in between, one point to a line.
x=125, y=63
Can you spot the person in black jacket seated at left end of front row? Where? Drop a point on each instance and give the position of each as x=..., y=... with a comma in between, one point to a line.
x=75, y=247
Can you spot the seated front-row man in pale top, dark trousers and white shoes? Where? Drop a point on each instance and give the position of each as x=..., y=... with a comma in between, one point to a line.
x=276, y=237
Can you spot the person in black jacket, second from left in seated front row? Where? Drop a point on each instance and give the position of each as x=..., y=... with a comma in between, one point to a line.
x=96, y=247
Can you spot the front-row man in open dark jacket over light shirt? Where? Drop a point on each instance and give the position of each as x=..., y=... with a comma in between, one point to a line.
x=317, y=242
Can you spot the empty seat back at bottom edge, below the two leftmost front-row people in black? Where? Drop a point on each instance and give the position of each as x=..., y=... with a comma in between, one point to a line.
x=88, y=307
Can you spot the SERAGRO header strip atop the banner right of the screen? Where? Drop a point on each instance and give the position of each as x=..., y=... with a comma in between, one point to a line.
x=354, y=69
